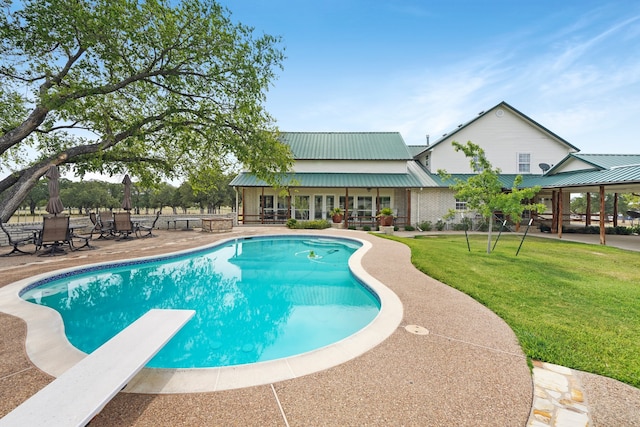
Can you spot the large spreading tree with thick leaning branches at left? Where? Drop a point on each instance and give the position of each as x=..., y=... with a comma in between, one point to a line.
x=154, y=88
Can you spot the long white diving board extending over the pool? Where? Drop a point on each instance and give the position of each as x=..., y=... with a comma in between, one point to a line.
x=77, y=395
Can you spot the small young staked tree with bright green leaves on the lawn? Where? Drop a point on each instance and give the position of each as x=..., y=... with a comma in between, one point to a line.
x=484, y=192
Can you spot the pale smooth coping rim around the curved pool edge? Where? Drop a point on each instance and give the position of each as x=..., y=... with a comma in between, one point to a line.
x=48, y=348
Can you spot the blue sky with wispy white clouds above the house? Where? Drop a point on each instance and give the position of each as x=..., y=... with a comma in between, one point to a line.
x=423, y=67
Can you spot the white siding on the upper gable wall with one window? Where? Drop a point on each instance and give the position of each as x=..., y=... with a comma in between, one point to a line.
x=502, y=137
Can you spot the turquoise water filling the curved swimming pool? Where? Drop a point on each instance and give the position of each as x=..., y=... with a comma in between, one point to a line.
x=255, y=299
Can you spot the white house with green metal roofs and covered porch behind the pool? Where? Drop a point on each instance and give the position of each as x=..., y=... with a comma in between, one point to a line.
x=363, y=172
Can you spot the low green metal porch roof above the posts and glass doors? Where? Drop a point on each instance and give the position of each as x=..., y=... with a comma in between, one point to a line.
x=362, y=180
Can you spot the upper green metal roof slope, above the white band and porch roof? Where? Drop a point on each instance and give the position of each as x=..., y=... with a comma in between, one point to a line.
x=346, y=145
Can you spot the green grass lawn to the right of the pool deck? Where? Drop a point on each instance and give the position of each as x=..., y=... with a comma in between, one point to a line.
x=571, y=304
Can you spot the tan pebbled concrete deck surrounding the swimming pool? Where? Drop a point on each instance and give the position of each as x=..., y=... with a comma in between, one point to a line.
x=468, y=369
